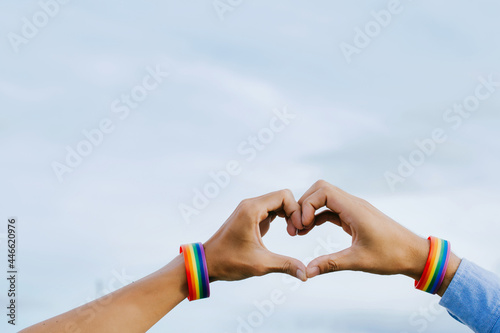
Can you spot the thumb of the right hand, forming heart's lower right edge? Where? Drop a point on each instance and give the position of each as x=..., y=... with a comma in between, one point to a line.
x=339, y=261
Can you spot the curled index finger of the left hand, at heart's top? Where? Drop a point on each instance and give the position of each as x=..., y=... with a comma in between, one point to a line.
x=280, y=200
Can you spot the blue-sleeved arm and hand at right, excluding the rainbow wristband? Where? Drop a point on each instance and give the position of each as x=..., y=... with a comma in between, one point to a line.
x=382, y=246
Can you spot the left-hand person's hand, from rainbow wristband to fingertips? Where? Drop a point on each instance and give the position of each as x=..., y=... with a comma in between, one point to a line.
x=236, y=250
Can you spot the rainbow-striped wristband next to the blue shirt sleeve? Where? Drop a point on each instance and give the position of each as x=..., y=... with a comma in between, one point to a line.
x=435, y=268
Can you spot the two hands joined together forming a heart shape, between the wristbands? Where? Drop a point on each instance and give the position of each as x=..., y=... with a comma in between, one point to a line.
x=379, y=244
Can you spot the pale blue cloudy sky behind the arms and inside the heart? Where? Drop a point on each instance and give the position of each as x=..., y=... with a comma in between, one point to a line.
x=114, y=116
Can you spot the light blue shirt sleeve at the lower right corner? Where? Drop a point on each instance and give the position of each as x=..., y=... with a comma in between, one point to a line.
x=473, y=298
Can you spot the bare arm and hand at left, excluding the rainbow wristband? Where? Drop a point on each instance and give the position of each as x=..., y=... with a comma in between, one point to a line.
x=234, y=252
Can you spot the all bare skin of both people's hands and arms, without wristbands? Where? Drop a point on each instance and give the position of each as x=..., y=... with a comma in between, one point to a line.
x=236, y=252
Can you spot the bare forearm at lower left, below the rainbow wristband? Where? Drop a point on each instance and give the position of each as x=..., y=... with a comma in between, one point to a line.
x=133, y=308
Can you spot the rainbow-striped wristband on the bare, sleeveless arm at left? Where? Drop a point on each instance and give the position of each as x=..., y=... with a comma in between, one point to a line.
x=196, y=271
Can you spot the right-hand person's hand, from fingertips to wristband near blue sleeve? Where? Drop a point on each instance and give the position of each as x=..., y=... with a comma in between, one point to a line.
x=379, y=244
